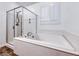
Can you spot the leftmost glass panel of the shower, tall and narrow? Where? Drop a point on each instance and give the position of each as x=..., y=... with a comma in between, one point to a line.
x=10, y=26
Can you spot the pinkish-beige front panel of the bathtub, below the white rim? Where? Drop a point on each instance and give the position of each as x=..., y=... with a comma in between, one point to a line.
x=29, y=49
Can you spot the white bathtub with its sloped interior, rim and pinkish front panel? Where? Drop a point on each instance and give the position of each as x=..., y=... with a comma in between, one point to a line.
x=45, y=45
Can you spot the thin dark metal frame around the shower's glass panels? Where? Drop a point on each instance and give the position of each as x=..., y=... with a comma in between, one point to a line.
x=14, y=21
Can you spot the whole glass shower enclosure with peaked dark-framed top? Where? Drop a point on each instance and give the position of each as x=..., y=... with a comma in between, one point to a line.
x=21, y=22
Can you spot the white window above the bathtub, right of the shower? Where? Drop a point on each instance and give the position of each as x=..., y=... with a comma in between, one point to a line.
x=50, y=14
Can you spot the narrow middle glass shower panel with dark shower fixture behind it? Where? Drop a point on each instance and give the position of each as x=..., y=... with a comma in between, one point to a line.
x=18, y=22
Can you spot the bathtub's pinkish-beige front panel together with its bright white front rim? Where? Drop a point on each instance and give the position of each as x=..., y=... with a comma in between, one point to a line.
x=39, y=48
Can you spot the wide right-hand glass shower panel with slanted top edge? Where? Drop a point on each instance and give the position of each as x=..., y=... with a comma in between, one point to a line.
x=29, y=24
